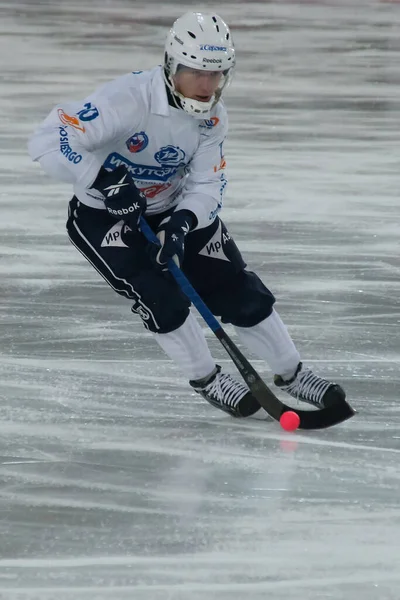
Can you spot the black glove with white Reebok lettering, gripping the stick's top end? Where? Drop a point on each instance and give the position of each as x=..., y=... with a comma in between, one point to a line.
x=122, y=200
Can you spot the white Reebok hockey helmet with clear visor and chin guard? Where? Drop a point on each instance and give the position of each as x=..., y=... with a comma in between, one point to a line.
x=199, y=41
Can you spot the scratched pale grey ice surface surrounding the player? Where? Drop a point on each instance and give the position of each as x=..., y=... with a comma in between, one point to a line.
x=116, y=481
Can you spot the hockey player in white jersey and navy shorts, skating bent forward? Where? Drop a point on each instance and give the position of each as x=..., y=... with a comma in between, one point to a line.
x=152, y=143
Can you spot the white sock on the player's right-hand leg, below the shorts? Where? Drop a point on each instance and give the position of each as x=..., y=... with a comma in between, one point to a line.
x=270, y=340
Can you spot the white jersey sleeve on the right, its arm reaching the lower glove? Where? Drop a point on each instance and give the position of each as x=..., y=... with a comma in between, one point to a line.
x=205, y=186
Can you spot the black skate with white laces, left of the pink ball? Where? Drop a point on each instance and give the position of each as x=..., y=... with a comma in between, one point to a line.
x=227, y=394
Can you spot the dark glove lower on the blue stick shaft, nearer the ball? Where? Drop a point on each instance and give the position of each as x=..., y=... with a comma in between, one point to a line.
x=171, y=233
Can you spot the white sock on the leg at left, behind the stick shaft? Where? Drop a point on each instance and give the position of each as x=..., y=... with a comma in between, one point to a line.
x=188, y=348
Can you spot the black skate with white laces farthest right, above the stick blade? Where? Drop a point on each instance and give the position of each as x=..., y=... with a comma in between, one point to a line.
x=308, y=387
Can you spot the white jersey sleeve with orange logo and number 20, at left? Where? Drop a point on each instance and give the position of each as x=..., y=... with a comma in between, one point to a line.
x=64, y=143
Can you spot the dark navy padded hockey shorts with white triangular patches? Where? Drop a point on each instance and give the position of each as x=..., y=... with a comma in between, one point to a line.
x=212, y=263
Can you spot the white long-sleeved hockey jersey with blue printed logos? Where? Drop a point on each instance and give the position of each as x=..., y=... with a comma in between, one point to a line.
x=174, y=158
